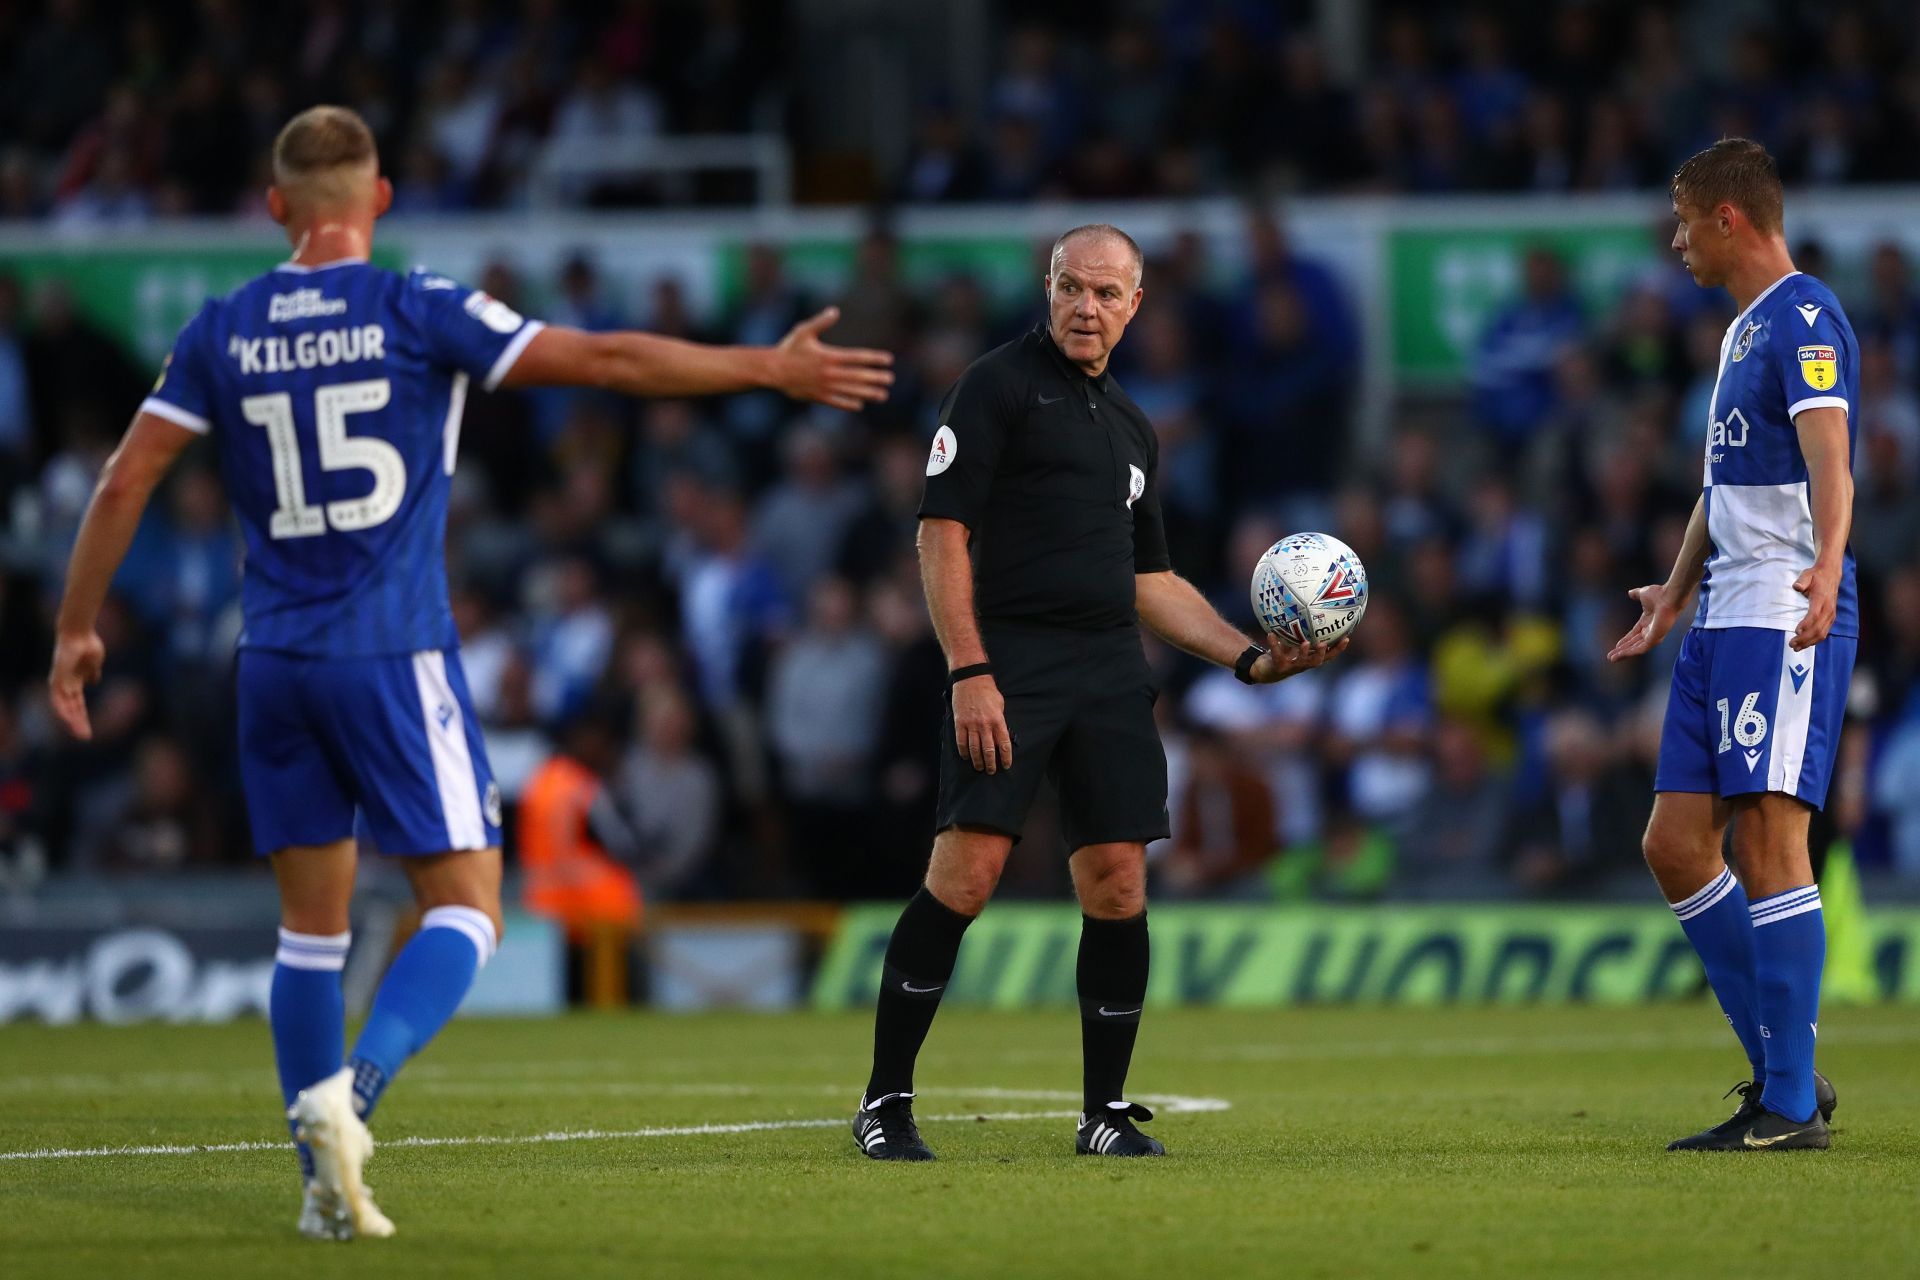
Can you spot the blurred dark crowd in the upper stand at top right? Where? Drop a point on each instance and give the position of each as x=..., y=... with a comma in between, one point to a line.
x=1189, y=99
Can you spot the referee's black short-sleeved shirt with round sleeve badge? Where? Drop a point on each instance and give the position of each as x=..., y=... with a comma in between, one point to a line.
x=1055, y=475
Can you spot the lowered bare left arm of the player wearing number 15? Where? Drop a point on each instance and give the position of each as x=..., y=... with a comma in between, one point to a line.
x=126, y=485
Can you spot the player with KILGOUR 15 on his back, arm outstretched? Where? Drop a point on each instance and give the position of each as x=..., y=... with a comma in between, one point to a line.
x=333, y=392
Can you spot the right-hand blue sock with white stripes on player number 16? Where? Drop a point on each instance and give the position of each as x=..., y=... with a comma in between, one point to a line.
x=1788, y=953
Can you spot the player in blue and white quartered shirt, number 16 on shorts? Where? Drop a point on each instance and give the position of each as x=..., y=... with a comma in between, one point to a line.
x=1760, y=688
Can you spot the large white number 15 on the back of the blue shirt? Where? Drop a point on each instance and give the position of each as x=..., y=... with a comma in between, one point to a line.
x=297, y=517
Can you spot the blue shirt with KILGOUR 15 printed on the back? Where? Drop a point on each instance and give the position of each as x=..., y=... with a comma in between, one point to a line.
x=335, y=398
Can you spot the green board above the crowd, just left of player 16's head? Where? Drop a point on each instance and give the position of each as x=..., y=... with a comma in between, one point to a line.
x=1445, y=285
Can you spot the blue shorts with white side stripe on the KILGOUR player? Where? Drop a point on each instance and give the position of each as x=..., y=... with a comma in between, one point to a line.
x=393, y=742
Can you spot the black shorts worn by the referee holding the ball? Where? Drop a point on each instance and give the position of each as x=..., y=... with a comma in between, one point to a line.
x=1080, y=707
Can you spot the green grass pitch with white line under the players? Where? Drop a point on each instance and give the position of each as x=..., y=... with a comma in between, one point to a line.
x=1324, y=1143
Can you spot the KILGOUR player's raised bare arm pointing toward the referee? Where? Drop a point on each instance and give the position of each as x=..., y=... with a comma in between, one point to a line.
x=802, y=366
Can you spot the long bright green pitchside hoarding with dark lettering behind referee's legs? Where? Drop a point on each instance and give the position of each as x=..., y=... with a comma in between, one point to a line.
x=1236, y=957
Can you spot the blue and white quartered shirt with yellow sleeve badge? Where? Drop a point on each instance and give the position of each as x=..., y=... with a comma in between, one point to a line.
x=1788, y=352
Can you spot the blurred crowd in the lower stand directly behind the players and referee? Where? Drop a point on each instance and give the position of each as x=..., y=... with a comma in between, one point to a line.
x=731, y=588
